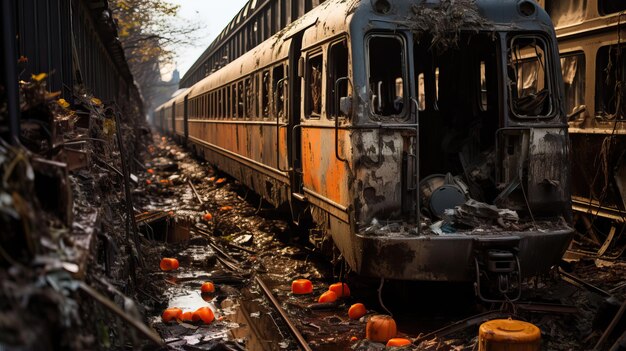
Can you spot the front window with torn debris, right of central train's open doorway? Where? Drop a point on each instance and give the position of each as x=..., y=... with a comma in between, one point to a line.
x=529, y=79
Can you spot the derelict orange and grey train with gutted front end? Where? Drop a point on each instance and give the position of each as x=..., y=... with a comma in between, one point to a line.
x=361, y=116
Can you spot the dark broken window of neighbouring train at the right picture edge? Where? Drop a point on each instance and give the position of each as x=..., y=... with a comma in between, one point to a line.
x=610, y=78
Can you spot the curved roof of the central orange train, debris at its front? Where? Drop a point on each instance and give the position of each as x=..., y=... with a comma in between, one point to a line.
x=334, y=17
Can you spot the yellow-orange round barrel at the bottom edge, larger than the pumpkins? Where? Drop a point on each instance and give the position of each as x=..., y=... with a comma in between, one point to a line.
x=508, y=335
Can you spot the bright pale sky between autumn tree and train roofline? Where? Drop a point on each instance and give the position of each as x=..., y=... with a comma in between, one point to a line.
x=213, y=16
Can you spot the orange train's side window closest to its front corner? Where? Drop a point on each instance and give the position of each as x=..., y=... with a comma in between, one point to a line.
x=337, y=68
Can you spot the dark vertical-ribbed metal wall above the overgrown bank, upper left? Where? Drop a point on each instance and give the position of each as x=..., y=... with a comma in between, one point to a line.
x=75, y=42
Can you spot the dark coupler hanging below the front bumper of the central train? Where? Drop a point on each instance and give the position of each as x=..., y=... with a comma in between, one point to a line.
x=498, y=277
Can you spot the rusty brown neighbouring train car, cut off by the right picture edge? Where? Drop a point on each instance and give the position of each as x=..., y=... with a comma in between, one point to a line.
x=592, y=43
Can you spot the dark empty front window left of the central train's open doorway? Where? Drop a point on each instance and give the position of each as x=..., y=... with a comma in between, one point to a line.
x=387, y=69
